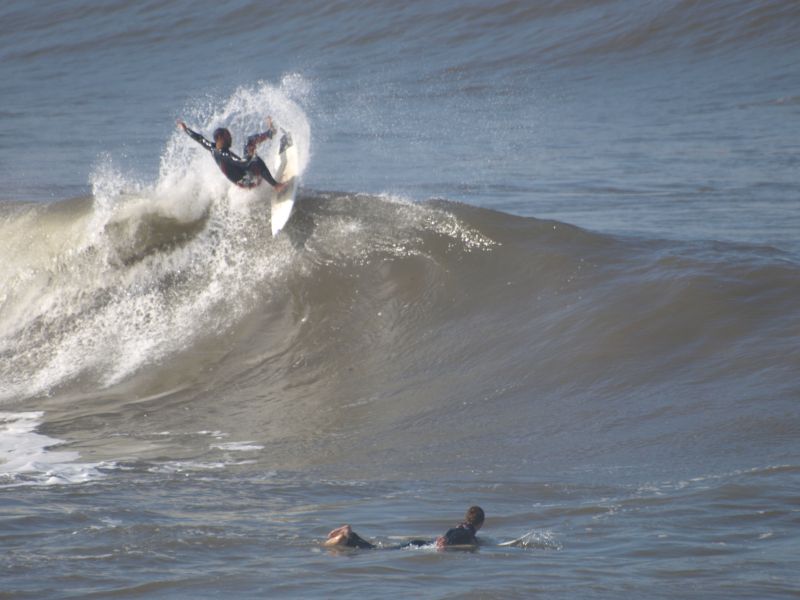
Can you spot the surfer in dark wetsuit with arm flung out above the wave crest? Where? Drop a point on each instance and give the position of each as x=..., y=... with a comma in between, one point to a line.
x=246, y=172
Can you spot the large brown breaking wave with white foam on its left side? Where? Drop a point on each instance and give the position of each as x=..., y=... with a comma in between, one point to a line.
x=378, y=323
